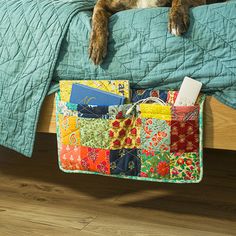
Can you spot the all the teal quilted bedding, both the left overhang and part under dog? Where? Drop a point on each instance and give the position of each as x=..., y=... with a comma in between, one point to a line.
x=45, y=40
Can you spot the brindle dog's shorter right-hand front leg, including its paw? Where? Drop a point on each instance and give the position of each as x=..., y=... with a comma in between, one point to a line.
x=179, y=15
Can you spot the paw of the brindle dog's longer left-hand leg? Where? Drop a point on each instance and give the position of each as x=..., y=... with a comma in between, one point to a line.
x=97, y=49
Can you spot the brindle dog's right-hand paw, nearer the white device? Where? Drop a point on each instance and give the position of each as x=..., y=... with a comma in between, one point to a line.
x=178, y=21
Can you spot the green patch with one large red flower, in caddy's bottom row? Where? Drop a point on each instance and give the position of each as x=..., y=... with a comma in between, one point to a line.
x=155, y=164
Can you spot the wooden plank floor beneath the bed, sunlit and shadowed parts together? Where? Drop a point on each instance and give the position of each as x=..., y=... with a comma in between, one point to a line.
x=38, y=199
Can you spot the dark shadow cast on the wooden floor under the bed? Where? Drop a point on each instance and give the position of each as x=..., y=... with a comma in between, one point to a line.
x=215, y=195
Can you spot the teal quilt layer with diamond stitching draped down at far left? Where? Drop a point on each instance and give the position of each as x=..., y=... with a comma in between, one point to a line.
x=30, y=37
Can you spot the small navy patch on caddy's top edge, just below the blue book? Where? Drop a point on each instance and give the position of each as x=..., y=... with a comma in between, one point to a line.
x=88, y=111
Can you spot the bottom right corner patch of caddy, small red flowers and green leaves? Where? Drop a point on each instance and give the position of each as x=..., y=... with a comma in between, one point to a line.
x=184, y=166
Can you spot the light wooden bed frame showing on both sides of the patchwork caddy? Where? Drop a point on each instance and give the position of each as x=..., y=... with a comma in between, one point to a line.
x=219, y=123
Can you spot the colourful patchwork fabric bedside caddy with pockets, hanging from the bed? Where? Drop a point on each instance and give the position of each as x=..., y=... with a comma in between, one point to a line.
x=152, y=143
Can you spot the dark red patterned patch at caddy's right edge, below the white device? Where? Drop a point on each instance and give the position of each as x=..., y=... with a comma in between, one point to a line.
x=184, y=136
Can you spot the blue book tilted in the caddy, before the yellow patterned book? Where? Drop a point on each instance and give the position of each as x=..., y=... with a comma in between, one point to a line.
x=85, y=95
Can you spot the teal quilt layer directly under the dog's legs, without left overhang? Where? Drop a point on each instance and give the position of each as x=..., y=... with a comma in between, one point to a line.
x=142, y=51
